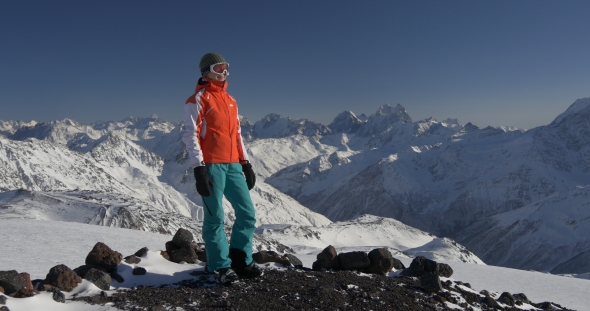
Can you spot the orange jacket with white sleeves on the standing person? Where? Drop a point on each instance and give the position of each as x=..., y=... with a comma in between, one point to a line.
x=212, y=132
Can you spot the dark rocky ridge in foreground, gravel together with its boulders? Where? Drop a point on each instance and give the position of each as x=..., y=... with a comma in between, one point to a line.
x=354, y=280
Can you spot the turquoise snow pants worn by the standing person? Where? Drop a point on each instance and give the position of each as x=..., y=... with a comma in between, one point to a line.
x=228, y=180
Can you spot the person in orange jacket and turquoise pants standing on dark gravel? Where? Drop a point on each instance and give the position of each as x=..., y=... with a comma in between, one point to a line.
x=221, y=167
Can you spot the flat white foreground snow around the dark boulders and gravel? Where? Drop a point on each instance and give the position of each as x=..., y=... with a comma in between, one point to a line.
x=35, y=246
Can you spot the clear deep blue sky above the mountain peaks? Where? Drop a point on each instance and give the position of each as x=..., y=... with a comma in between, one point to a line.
x=517, y=63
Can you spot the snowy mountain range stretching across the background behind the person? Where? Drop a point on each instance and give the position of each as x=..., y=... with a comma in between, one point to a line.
x=443, y=178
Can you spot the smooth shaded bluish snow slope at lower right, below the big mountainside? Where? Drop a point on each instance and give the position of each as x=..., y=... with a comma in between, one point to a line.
x=552, y=234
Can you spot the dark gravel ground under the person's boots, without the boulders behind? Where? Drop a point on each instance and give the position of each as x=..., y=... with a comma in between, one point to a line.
x=296, y=289
